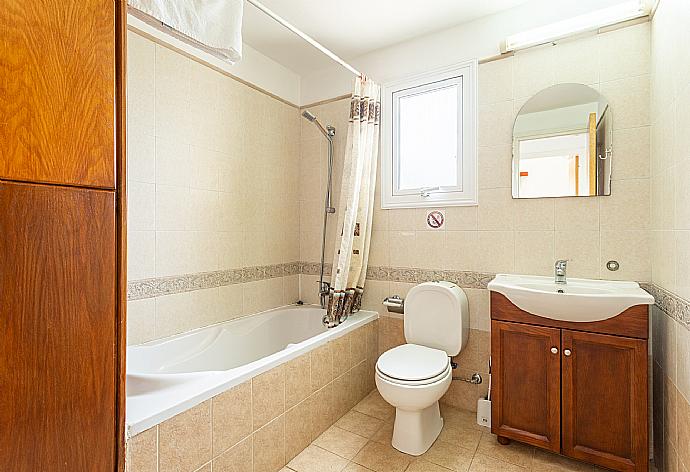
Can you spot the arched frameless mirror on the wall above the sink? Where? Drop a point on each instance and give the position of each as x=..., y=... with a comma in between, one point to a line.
x=562, y=144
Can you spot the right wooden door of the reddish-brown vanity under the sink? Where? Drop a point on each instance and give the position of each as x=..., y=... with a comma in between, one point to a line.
x=605, y=400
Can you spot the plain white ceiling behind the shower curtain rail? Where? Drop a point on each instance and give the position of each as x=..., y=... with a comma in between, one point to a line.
x=354, y=27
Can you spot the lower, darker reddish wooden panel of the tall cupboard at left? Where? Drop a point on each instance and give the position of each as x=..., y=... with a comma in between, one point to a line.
x=58, y=329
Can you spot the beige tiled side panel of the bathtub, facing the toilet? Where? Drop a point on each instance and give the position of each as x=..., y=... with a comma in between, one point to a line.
x=263, y=423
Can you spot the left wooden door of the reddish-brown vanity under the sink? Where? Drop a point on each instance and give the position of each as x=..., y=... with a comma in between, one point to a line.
x=526, y=367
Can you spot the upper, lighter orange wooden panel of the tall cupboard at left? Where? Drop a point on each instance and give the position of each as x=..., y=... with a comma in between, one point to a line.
x=57, y=91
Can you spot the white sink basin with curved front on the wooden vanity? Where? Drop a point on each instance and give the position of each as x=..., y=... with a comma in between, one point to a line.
x=580, y=300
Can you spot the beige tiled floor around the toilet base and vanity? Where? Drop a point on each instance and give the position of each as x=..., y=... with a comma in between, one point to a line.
x=361, y=442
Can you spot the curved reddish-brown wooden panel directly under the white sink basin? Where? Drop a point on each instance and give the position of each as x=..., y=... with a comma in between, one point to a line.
x=633, y=322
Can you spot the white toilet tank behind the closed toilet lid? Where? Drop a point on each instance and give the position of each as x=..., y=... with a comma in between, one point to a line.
x=437, y=315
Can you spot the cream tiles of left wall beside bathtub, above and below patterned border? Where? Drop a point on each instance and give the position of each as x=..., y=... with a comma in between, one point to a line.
x=213, y=169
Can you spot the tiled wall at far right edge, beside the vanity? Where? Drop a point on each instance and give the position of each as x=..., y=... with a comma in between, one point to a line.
x=671, y=231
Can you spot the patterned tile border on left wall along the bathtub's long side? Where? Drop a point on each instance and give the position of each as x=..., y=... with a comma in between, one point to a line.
x=159, y=286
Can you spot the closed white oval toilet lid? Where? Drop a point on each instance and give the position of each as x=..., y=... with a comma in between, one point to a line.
x=413, y=362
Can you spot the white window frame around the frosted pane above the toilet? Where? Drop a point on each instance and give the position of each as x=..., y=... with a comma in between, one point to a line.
x=465, y=194
